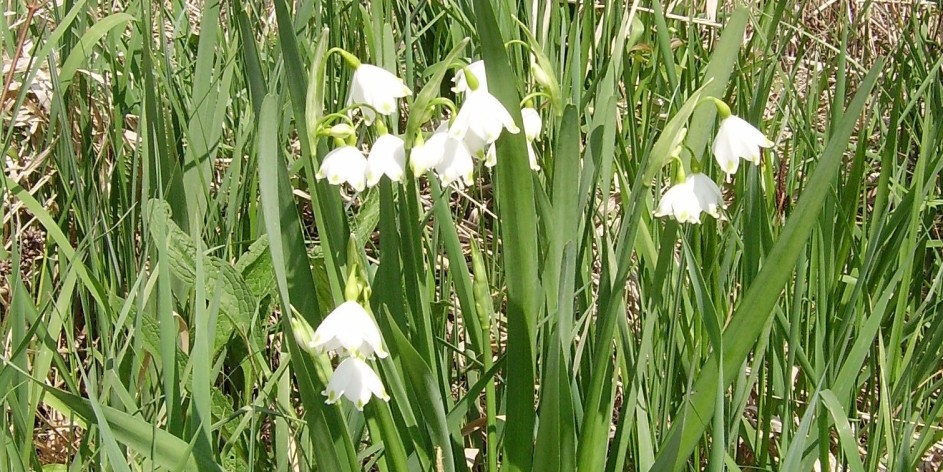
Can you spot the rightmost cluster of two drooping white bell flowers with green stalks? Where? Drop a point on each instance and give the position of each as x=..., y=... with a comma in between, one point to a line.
x=696, y=193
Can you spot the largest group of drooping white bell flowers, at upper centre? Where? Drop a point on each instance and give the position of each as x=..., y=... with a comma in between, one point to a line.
x=449, y=152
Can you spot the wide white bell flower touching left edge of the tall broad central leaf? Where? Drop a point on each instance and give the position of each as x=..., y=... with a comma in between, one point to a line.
x=483, y=115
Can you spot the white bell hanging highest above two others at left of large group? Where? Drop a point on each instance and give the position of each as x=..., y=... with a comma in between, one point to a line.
x=378, y=88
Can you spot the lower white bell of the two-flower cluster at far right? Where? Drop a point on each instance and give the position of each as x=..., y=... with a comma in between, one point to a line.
x=685, y=201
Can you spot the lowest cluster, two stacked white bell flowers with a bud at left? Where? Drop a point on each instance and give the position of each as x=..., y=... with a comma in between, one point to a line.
x=350, y=332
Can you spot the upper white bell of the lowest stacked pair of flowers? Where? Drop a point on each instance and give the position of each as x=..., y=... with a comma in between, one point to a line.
x=350, y=328
